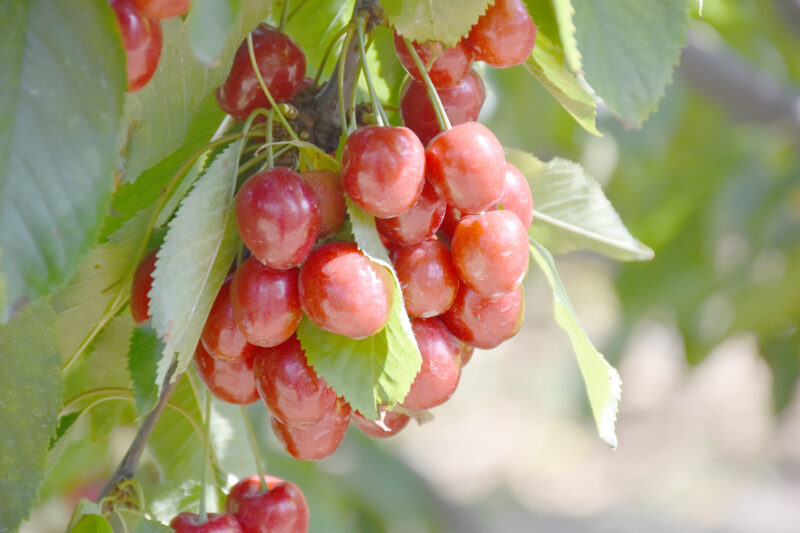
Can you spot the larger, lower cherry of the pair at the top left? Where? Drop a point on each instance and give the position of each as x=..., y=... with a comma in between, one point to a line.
x=142, y=39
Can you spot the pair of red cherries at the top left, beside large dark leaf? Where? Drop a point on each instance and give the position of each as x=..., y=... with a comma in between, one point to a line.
x=140, y=25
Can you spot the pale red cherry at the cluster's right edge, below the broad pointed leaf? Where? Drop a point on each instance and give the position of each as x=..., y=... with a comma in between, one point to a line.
x=490, y=252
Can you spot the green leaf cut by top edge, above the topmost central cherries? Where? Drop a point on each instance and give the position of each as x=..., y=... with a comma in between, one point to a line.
x=444, y=20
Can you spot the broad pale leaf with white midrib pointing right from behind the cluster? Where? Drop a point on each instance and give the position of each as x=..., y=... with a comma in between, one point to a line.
x=572, y=212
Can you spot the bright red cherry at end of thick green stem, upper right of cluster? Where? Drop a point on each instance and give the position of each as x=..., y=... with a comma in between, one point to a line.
x=467, y=166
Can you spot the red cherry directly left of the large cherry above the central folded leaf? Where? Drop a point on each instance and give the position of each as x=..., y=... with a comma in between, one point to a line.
x=265, y=302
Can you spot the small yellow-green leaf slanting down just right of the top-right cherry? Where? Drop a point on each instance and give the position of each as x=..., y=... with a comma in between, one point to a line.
x=547, y=63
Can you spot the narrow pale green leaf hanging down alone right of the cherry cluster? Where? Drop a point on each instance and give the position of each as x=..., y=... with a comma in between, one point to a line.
x=603, y=384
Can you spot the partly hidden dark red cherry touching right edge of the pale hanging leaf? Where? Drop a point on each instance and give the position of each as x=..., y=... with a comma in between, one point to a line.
x=221, y=337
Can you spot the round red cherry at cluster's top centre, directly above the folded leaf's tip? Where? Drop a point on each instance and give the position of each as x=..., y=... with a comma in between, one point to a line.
x=383, y=169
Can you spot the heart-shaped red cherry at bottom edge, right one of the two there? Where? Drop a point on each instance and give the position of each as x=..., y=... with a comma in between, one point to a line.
x=282, y=508
